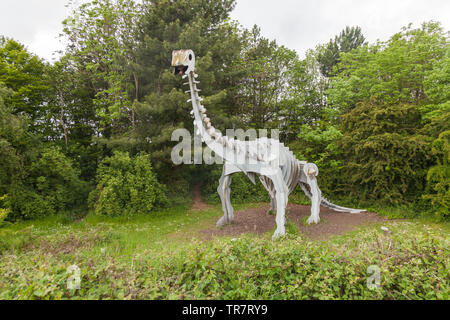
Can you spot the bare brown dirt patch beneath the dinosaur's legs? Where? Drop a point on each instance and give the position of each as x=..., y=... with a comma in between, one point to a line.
x=257, y=221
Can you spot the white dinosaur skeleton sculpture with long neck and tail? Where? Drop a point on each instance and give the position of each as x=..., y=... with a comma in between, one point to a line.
x=275, y=165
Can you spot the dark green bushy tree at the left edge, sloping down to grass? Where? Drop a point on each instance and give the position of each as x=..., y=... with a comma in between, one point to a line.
x=38, y=179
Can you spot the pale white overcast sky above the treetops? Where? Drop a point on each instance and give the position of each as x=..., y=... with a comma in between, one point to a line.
x=297, y=24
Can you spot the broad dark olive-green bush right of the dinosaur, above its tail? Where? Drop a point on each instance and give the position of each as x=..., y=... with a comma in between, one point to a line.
x=385, y=159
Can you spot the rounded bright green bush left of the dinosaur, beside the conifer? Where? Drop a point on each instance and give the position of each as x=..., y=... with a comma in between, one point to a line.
x=126, y=185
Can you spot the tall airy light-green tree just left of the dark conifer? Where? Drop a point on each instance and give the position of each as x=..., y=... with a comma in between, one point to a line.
x=100, y=46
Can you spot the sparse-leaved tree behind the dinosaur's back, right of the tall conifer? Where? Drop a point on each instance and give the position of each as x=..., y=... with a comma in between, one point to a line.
x=263, y=85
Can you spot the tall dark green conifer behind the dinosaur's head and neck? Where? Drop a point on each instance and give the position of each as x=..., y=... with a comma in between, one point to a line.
x=169, y=25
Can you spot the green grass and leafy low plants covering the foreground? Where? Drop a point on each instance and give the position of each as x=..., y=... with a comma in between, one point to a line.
x=149, y=257
